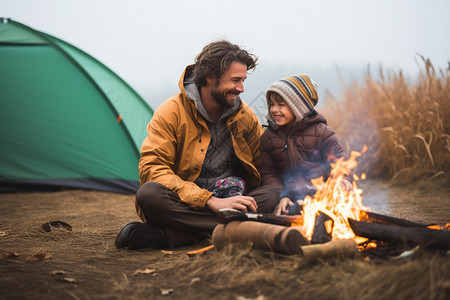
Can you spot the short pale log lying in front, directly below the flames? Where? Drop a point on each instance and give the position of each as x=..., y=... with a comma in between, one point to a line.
x=336, y=248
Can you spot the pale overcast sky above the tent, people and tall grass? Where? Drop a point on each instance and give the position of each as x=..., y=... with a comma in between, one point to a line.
x=148, y=43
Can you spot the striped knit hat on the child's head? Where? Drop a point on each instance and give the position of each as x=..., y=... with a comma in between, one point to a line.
x=299, y=92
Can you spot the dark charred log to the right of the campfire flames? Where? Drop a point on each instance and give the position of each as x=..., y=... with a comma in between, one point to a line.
x=428, y=238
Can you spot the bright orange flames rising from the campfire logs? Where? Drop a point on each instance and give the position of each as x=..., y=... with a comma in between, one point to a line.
x=337, y=198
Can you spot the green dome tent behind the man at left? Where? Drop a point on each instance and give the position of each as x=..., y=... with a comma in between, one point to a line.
x=66, y=120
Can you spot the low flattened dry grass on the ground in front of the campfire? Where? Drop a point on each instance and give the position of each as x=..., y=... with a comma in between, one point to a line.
x=255, y=274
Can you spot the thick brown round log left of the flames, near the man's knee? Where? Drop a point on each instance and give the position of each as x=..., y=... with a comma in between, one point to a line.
x=280, y=239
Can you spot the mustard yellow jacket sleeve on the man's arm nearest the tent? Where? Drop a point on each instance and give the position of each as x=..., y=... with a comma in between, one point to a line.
x=158, y=157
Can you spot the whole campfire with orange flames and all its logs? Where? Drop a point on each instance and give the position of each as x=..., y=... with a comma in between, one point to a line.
x=334, y=221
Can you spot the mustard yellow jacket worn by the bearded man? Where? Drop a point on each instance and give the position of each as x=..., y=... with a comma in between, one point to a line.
x=173, y=152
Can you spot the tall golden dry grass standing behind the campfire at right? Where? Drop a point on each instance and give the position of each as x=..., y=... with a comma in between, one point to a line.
x=405, y=126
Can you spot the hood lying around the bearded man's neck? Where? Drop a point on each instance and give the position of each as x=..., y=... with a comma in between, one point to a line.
x=189, y=88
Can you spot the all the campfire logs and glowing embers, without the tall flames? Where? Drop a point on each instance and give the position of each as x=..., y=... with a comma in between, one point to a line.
x=274, y=233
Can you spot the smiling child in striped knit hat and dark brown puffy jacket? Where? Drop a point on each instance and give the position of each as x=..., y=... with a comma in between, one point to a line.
x=298, y=145
